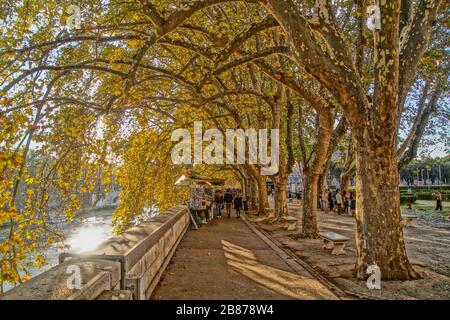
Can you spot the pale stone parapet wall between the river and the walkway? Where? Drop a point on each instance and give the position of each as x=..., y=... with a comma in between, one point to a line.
x=126, y=266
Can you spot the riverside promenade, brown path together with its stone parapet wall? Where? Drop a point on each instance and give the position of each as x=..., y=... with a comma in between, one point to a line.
x=165, y=258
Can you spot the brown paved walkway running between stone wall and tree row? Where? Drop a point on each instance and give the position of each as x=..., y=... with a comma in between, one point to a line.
x=226, y=260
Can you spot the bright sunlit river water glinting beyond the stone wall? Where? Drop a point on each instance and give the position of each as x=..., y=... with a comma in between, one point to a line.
x=80, y=237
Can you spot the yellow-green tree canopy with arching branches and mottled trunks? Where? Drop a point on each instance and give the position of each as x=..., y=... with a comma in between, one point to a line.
x=101, y=99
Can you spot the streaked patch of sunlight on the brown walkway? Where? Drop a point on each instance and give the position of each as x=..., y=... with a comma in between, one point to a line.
x=289, y=284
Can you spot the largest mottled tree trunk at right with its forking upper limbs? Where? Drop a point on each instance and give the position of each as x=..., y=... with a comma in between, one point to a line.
x=375, y=118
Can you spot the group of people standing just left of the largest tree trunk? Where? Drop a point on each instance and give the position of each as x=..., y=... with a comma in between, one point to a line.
x=336, y=201
